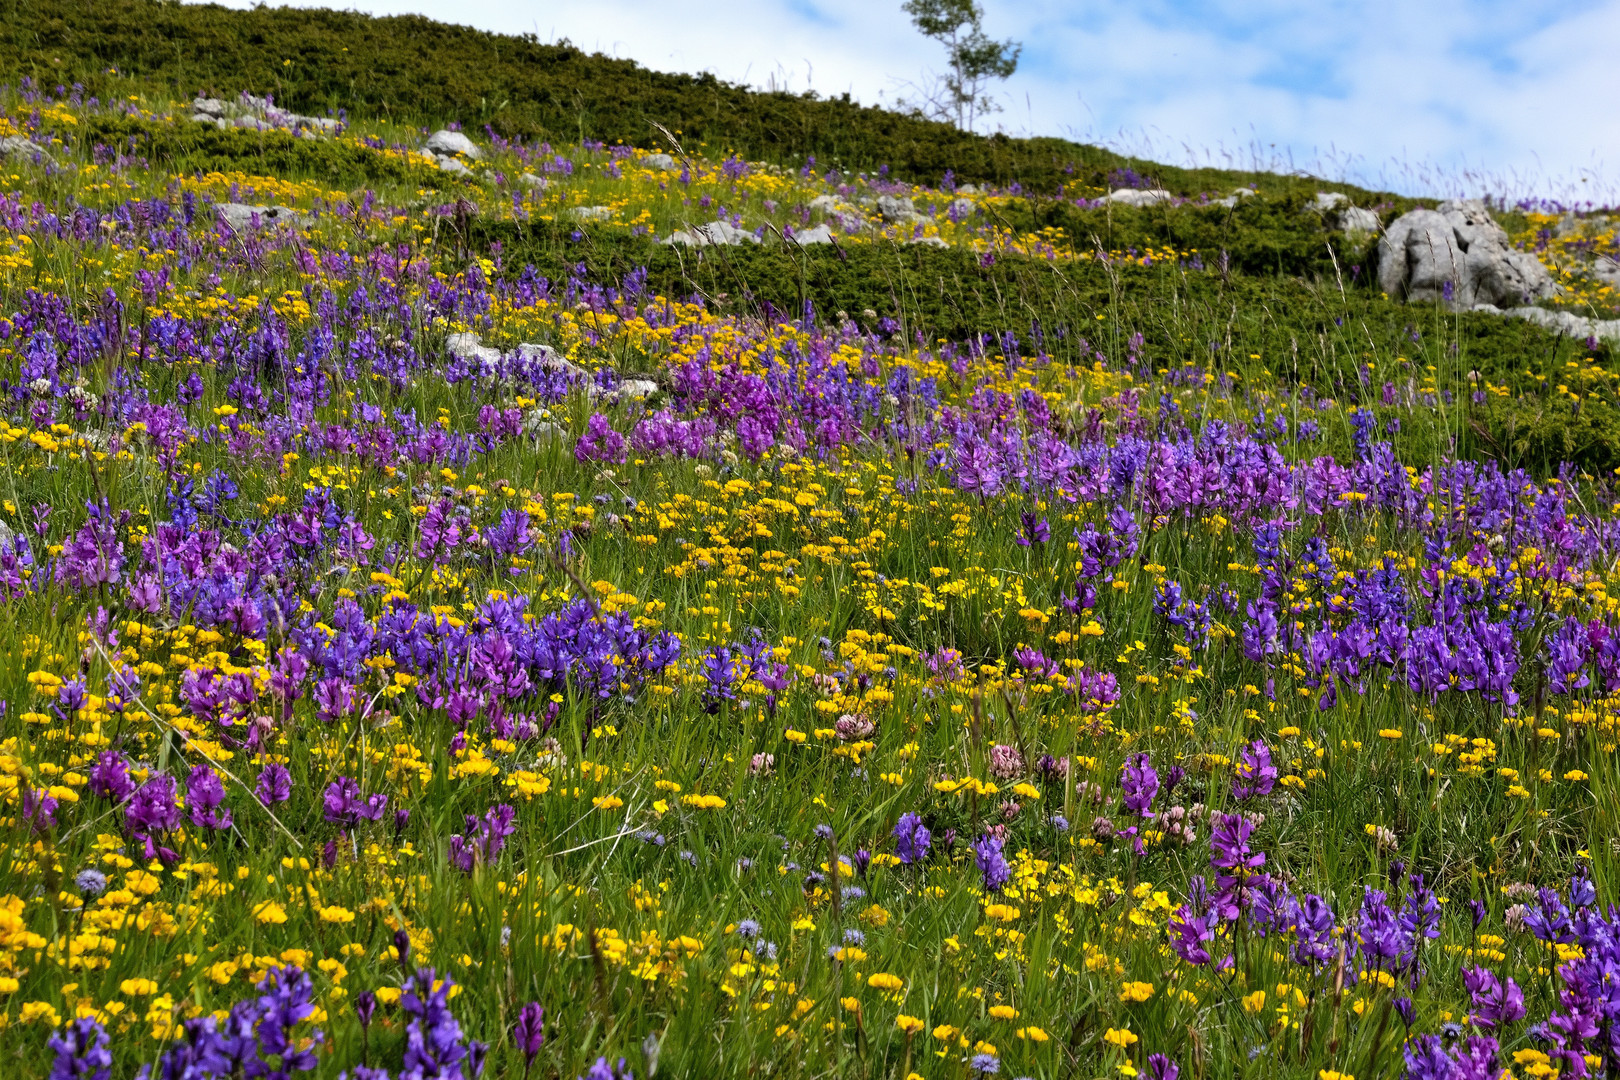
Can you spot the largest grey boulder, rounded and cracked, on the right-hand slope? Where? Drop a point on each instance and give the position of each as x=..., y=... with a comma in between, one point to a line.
x=1460, y=257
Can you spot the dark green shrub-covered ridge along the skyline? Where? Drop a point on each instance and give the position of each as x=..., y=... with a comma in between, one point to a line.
x=416, y=70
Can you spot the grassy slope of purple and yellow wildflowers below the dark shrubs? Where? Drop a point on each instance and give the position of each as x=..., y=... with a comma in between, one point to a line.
x=633, y=689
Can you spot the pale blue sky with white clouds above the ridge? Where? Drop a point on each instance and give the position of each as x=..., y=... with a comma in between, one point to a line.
x=1472, y=96
